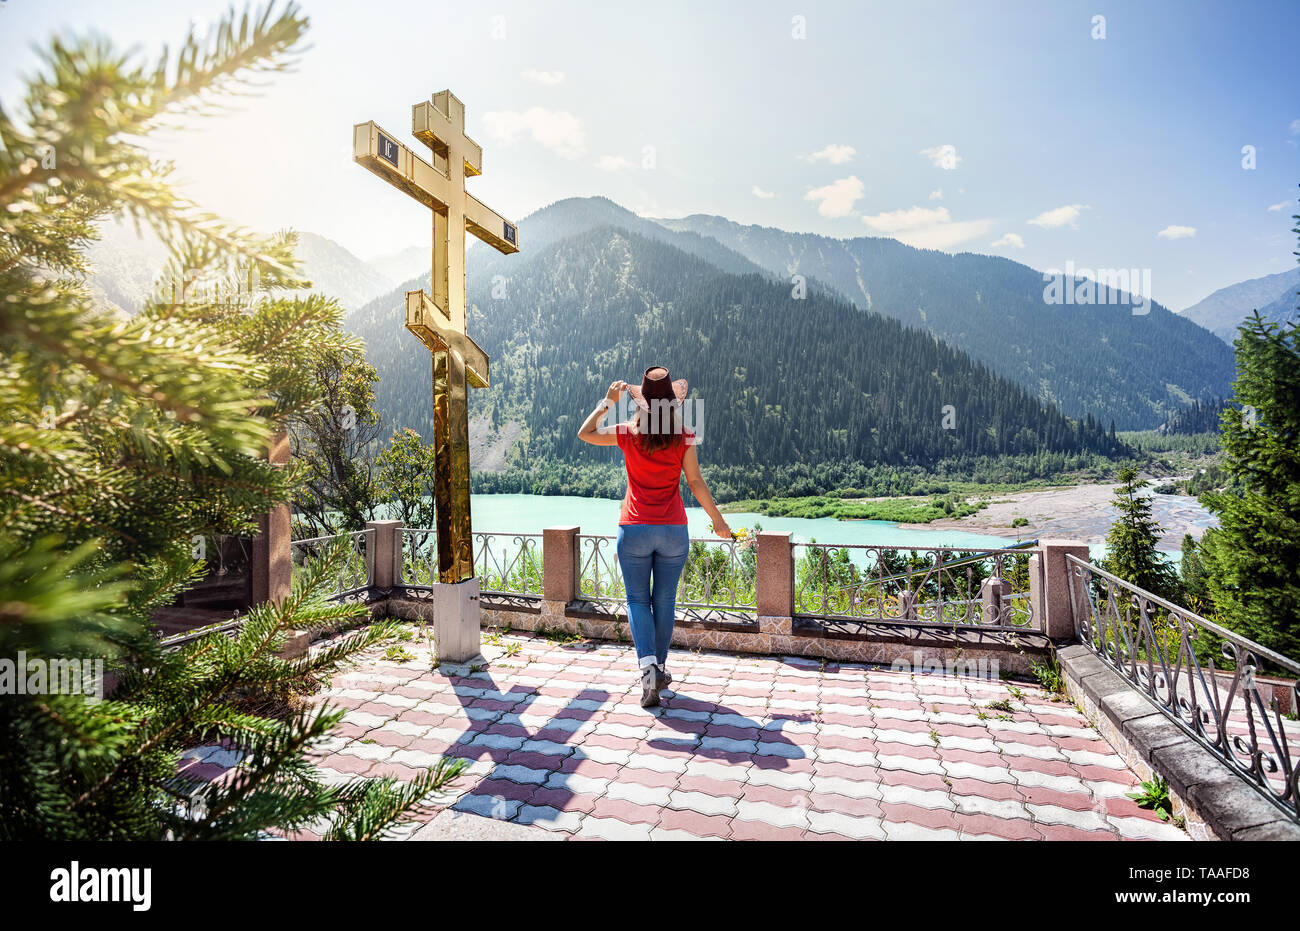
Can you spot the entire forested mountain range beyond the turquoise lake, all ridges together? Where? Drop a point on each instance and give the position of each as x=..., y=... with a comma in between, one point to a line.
x=597, y=288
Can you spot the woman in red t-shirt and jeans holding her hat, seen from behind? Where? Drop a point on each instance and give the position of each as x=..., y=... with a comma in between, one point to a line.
x=653, y=539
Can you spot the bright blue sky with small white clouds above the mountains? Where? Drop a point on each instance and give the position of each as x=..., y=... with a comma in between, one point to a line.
x=947, y=125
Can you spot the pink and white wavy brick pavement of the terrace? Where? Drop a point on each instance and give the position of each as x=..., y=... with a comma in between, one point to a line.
x=743, y=748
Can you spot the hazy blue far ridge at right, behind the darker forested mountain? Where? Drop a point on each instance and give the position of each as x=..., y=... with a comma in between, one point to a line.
x=1102, y=360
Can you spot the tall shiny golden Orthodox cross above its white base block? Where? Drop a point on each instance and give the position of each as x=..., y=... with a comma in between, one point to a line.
x=440, y=321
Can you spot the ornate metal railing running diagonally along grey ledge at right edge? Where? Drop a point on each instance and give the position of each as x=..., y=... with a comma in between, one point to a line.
x=1168, y=653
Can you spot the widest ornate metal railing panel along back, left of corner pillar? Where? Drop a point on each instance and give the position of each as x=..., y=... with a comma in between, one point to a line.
x=916, y=587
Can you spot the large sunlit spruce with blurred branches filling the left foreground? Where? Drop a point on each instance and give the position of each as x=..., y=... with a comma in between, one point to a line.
x=124, y=440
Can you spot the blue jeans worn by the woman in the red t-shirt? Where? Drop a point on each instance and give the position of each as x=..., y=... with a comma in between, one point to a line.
x=657, y=551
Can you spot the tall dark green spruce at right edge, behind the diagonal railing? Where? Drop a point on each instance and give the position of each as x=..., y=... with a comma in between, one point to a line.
x=1253, y=560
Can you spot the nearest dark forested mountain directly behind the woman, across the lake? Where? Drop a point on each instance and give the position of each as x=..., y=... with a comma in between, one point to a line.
x=783, y=382
